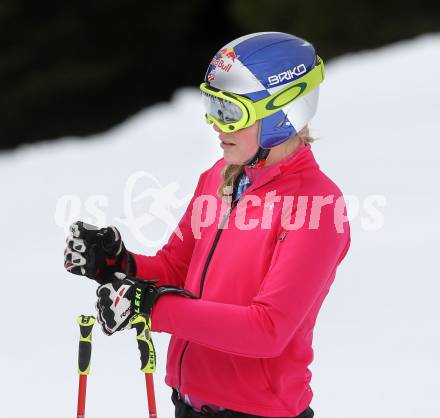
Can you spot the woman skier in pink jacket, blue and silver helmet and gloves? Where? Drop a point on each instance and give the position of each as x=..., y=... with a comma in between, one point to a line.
x=256, y=250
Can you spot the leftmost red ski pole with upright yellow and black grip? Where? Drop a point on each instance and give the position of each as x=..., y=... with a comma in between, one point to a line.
x=84, y=354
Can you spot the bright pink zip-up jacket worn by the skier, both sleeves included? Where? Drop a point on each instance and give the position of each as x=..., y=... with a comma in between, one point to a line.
x=246, y=343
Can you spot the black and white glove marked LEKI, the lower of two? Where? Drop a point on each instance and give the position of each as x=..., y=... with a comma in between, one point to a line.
x=125, y=297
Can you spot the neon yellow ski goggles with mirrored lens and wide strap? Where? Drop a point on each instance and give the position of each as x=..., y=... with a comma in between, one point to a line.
x=231, y=112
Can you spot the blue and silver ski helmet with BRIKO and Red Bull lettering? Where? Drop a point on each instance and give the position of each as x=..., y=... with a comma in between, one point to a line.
x=266, y=65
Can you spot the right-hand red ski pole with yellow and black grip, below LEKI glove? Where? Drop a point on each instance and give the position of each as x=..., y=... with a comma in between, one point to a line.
x=142, y=324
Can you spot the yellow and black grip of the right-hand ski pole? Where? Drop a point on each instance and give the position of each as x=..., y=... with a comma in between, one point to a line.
x=142, y=324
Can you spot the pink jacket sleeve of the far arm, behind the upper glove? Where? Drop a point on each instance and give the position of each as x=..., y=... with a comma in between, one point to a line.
x=170, y=264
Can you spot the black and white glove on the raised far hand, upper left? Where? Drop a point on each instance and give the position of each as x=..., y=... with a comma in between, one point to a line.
x=96, y=253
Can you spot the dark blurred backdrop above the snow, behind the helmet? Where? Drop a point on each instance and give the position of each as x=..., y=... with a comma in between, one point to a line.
x=78, y=67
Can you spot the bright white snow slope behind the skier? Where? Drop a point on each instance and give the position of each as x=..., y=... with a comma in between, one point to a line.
x=377, y=338
